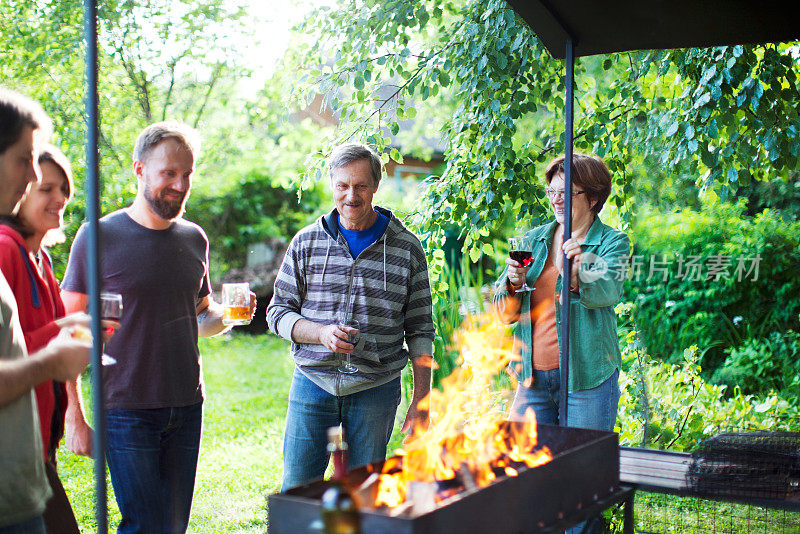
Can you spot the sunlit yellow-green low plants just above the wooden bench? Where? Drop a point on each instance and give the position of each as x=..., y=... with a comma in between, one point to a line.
x=672, y=407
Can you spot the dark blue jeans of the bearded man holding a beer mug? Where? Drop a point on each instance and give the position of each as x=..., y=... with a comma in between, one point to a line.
x=152, y=459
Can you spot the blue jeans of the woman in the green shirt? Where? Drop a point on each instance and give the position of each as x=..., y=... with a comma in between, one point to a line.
x=594, y=408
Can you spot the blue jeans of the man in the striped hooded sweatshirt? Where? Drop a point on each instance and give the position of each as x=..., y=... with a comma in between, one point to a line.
x=367, y=419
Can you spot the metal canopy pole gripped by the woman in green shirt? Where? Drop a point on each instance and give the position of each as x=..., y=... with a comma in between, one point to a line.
x=567, y=264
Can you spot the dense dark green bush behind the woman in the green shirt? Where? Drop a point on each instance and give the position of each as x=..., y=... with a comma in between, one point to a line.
x=684, y=306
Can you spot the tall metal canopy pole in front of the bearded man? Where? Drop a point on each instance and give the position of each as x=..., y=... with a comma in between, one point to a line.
x=92, y=213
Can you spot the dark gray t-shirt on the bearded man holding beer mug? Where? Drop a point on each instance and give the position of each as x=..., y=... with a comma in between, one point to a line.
x=160, y=275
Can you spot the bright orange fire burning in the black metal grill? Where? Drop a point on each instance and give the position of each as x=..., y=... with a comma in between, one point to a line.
x=469, y=437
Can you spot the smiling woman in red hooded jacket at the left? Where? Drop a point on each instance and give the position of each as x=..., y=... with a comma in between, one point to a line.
x=26, y=266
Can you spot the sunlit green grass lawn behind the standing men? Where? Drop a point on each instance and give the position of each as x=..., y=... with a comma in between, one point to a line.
x=247, y=385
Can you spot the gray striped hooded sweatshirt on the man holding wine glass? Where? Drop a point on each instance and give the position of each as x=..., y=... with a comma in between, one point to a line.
x=386, y=289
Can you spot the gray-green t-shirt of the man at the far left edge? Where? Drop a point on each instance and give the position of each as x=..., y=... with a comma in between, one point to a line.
x=23, y=485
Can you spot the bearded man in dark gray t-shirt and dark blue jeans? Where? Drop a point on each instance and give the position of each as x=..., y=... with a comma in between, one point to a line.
x=158, y=262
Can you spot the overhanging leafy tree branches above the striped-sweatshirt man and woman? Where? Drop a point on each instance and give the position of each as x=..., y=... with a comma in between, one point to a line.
x=713, y=118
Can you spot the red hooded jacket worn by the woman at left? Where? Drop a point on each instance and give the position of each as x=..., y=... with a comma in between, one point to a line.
x=39, y=303
